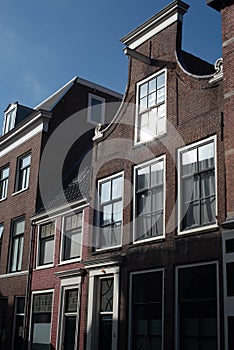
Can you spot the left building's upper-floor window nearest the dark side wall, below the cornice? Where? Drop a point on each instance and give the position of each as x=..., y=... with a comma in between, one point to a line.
x=23, y=171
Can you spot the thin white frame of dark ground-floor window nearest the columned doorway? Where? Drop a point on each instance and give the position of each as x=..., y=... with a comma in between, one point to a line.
x=142, y=272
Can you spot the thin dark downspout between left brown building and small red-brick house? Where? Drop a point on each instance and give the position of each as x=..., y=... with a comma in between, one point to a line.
x=29, y=286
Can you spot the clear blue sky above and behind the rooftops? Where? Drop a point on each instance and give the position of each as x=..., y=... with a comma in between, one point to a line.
x=45, y=43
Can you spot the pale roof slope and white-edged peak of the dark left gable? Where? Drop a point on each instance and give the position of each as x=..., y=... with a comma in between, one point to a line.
x=52, y=100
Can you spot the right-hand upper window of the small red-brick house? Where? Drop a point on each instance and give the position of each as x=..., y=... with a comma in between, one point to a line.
x=72, y=236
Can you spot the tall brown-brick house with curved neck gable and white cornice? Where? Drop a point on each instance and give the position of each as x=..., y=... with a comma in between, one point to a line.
x=155, y=268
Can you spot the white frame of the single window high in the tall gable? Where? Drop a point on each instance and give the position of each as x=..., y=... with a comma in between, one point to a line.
x=152, y=136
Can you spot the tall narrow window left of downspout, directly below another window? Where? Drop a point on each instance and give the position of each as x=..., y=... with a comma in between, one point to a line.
x=17, y=244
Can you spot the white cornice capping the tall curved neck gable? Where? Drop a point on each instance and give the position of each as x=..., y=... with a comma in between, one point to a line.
x=161, y=20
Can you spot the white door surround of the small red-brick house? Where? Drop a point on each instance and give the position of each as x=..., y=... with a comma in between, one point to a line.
x=67, y=284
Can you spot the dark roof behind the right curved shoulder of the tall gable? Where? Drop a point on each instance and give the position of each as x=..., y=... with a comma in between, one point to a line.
x=195, y=65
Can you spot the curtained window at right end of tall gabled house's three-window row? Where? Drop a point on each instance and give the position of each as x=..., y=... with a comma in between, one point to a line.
x=197, y=185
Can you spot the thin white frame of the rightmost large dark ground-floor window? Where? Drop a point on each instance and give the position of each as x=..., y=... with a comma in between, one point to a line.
x=177, y=268
